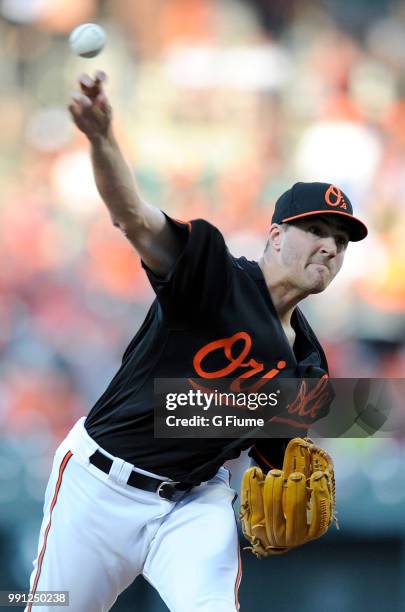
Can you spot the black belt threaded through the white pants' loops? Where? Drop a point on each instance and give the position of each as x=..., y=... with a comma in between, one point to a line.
x=166, y=489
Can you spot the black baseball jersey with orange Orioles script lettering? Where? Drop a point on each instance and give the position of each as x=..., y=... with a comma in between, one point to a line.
x=212, y=316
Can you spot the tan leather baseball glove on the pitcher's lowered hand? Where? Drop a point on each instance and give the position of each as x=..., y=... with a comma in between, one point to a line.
x=289, y=507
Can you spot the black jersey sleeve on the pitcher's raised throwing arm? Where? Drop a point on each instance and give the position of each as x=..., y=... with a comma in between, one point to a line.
x=200, y=279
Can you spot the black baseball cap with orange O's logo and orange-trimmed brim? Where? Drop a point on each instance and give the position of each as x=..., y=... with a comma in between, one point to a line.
x=310, y=199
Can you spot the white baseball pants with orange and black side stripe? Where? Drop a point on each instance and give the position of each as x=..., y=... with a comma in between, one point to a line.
x=98, y=534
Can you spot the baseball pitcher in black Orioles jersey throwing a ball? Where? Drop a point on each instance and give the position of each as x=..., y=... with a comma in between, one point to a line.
x=119, y=502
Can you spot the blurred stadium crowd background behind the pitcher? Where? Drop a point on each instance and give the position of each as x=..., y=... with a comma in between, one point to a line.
x=220, y=105
